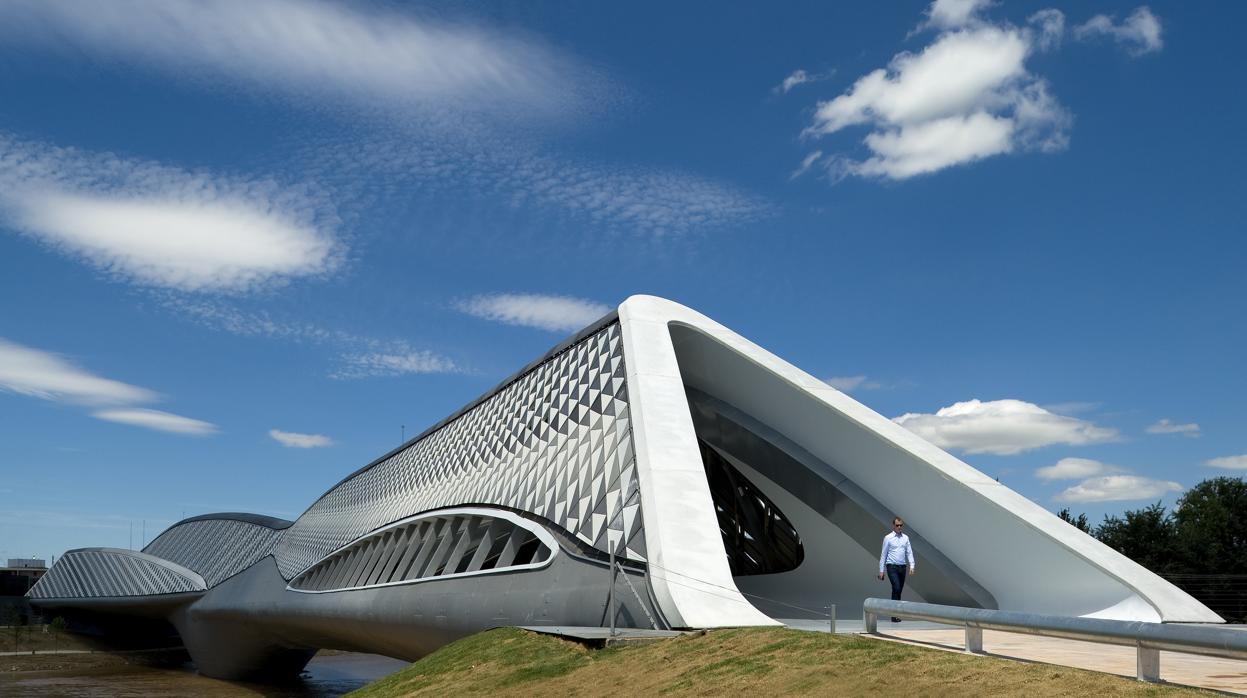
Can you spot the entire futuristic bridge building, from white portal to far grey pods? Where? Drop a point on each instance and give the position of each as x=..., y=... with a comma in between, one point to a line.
x=728, y=487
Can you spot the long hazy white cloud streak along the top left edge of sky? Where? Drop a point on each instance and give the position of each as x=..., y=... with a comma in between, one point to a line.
x=347, y=54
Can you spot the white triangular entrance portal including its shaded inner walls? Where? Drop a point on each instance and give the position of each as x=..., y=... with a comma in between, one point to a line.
x=840, y=472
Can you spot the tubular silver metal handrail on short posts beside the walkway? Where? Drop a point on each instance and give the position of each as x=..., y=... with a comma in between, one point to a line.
x=1149, y=639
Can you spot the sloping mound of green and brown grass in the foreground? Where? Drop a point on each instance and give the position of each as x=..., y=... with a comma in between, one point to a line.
x=765, y=661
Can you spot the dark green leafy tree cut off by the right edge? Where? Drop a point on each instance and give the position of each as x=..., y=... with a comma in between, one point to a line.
x=1211, y=527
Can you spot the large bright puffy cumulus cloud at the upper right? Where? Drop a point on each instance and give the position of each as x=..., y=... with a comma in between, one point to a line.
x=965, y=98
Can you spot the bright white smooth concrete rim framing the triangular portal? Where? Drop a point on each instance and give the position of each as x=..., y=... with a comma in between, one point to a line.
x=675, y=490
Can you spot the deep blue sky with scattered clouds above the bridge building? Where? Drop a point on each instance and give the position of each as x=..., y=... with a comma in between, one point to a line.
x=245, y=246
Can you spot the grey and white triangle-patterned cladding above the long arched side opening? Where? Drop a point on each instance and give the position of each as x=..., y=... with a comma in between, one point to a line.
x=557, y=442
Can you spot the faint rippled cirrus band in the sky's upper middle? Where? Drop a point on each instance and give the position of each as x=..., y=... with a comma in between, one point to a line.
x=613, y=198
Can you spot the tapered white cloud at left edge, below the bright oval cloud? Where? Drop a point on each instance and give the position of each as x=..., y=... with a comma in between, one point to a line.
x=51, y=377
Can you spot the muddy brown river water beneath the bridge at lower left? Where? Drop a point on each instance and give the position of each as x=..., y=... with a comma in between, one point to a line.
x=326, y=676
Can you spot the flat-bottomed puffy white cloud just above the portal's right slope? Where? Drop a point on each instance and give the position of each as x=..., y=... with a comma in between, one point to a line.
x=1002, y=428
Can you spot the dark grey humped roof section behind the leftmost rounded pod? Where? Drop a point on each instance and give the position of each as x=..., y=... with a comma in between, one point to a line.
x=218, y=550
